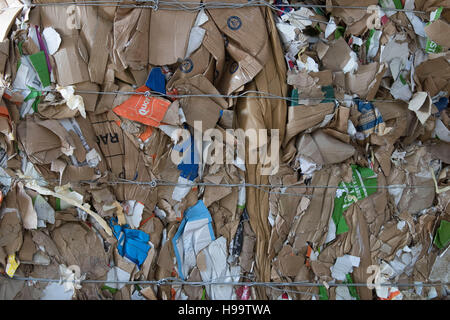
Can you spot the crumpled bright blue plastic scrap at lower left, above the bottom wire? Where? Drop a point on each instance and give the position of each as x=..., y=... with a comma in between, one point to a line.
x=133, y=244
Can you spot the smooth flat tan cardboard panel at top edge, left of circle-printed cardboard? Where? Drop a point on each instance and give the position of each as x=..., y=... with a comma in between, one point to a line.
x=169, y=35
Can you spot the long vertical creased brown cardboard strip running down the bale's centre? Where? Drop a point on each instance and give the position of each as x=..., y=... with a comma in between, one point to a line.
x=263, y=114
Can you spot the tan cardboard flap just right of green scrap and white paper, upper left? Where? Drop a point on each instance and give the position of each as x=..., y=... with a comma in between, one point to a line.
x=71, y=68
